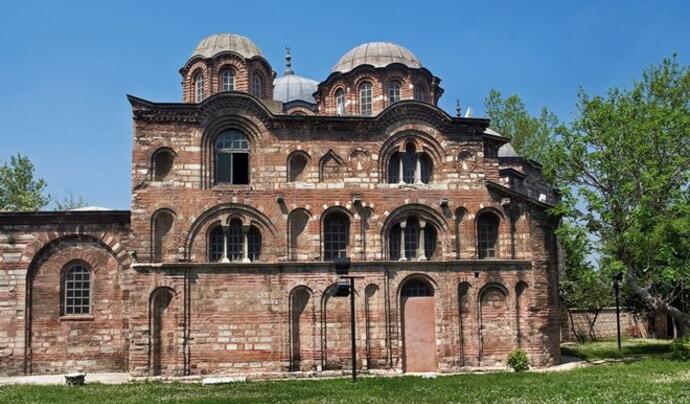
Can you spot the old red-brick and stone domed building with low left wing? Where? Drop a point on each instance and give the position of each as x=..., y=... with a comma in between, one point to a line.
x=244, y=193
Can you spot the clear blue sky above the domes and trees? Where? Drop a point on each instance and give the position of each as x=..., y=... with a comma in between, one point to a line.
x=67, y=65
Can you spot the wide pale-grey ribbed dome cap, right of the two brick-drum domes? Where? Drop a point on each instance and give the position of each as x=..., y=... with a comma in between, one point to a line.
x=377, y=54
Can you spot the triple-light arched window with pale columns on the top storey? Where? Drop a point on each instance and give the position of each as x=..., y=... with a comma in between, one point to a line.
x=410, y=167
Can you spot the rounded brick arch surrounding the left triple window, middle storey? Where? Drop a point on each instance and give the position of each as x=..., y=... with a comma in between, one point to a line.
x=224, y=212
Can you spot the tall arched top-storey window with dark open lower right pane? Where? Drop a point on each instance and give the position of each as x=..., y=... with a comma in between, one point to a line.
x=232, y=158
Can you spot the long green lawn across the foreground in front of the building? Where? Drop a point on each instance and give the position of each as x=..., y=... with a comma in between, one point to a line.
x=653, y=379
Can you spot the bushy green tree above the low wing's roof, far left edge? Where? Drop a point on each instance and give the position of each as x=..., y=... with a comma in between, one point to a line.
x=19, y=190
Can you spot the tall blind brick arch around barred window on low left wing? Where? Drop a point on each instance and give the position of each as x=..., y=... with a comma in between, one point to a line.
x=106, y=260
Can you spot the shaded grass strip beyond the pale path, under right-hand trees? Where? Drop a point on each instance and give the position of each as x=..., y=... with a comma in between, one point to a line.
x=609, y=349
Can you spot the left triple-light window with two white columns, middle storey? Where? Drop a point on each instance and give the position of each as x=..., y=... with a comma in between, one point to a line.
x=234, y=243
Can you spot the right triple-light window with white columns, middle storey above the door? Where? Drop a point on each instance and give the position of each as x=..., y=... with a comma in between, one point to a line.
x=417, y=238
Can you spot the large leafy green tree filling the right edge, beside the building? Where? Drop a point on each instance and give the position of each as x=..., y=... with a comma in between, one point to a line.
x=626, y=158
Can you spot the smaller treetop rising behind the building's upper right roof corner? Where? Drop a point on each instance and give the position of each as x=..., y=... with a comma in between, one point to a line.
x=530, y=136
